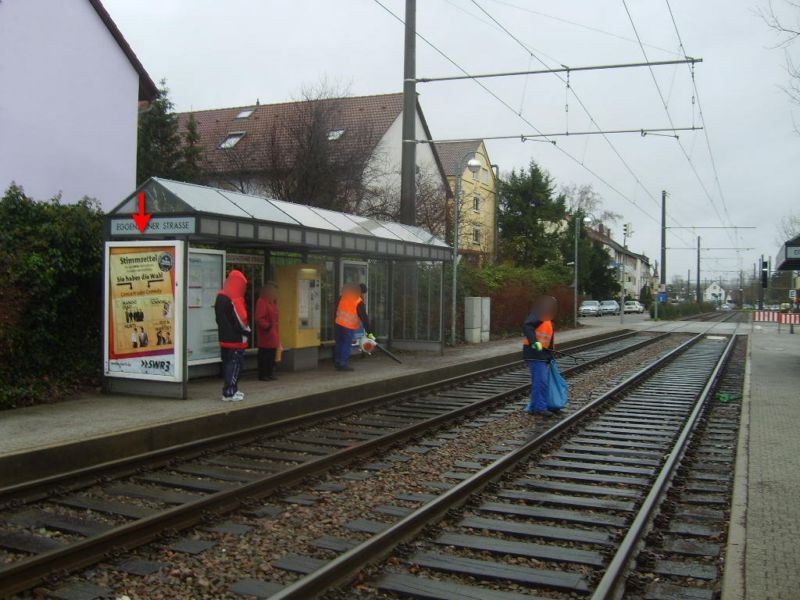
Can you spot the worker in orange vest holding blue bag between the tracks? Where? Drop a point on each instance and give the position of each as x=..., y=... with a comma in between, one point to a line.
x=537, y=351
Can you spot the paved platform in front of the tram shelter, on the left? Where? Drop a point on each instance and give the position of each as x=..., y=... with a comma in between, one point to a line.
x=139, y=424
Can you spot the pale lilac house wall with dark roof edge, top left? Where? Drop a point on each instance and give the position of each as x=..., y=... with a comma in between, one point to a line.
x=69, y=107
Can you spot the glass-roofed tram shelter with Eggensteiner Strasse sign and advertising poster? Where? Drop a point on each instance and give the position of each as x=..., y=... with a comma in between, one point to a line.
x=161, y=284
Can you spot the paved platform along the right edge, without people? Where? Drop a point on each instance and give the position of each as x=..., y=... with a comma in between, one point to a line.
x=761, y=560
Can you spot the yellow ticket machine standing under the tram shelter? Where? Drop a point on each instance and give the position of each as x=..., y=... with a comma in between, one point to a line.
x=299, y=302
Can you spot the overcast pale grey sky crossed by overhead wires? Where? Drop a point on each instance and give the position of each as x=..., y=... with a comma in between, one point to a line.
x=216, y=54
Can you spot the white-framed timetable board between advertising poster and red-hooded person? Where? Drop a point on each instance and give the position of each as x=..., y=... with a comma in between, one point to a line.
x=205, y=278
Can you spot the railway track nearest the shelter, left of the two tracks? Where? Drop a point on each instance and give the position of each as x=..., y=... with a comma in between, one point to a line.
x=73, y=520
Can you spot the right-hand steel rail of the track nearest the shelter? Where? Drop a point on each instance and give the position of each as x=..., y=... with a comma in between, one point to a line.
x=24, y=574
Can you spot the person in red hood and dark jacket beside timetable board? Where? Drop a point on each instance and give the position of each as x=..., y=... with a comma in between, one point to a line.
x=231, y=314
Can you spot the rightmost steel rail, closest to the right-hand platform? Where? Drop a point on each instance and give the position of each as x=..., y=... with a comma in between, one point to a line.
x=610, y=586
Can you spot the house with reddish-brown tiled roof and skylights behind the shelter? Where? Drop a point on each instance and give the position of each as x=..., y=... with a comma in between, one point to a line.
x=245, y=147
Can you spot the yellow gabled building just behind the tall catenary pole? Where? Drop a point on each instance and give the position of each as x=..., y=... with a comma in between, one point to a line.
x=478, y=216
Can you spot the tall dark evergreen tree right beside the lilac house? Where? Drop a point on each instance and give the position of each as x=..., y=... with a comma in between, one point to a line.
x=159, y=150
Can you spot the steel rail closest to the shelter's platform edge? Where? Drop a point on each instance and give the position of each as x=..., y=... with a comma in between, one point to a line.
x=34, y=490
